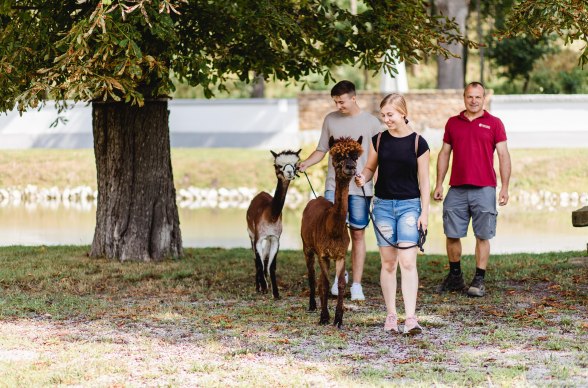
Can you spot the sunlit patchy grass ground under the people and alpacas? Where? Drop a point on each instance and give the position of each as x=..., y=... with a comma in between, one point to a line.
x=68, y=320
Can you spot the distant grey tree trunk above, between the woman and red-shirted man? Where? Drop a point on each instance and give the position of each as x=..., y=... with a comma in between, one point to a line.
x=450, y=72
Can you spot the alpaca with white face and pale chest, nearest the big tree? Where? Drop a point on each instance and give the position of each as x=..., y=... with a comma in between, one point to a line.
x=264, y=221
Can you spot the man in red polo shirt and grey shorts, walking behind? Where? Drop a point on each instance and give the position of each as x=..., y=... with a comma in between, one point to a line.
x=473, y=135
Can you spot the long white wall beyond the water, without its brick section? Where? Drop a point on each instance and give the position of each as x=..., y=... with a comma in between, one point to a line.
x=531, y=121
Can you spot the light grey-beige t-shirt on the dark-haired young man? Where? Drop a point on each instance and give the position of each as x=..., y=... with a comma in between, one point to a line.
x=338, y=125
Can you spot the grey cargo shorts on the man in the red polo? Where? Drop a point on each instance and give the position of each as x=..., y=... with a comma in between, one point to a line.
x=463, y=203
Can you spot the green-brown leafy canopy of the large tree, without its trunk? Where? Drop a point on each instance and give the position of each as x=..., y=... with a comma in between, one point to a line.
x=128, y=50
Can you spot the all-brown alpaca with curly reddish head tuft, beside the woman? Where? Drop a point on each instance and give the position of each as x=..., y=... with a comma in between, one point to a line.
x=324, y=231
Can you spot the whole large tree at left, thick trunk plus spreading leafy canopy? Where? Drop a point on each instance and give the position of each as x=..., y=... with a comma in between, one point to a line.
x=121, y=55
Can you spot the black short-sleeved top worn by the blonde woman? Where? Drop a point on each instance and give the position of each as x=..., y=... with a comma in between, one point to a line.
x=397, y=166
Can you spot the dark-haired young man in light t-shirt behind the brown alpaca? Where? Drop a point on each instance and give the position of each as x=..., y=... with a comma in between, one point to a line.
x=348, y=120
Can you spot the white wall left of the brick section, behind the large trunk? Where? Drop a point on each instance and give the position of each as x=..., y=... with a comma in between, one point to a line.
x=246, y=123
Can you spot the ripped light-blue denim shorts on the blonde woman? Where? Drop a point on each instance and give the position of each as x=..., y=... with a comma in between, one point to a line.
x=397, y=220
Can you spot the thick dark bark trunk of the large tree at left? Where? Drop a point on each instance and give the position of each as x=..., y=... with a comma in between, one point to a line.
x=137, y=217
